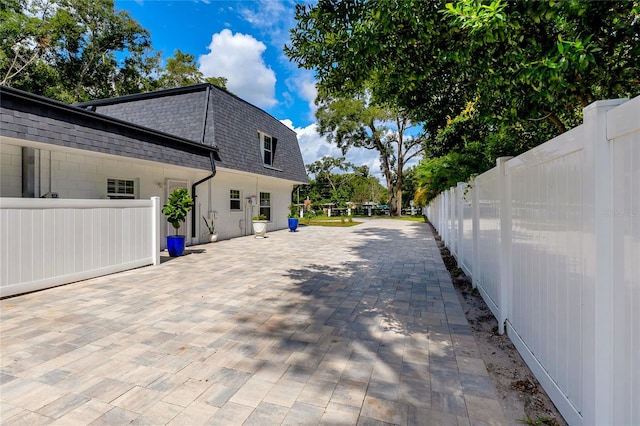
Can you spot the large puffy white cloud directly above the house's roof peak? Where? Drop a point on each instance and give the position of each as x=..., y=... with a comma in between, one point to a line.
x=238, y=58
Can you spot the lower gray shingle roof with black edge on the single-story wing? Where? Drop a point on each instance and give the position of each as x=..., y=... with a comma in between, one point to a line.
x=39, y=119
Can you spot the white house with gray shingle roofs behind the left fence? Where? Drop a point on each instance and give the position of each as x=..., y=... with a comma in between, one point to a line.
x=235, y=159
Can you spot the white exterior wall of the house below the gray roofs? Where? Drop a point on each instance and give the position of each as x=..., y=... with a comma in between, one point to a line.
x=77, y=174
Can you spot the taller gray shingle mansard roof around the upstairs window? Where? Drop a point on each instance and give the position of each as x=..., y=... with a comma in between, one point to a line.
x=232, y=125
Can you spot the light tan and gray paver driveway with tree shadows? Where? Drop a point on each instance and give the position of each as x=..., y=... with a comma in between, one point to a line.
x=348, y=326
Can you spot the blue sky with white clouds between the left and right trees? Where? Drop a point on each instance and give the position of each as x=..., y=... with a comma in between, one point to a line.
x=243, y=41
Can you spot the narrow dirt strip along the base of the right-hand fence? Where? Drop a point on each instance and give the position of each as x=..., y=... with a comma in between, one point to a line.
x=522, y=398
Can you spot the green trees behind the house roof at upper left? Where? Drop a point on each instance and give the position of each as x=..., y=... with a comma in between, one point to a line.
x=79, y=50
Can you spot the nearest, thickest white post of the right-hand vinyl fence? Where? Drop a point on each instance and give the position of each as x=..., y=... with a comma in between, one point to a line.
x=598, y=332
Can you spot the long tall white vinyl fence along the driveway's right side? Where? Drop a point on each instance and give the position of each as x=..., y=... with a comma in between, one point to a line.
x=551, y=239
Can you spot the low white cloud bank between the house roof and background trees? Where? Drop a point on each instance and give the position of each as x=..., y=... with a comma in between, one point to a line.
x=314, y=147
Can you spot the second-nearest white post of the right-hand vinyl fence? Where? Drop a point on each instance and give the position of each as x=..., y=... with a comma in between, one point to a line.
x=504, y=186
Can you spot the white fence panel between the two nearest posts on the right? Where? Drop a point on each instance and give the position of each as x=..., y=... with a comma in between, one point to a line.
x=547, y=255
